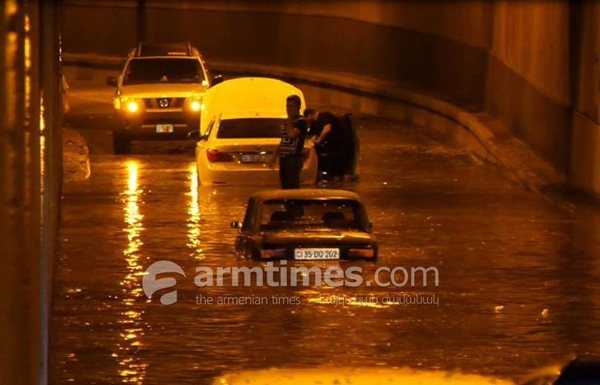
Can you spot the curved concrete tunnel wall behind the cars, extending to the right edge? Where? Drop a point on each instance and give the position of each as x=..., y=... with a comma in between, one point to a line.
x=532, y=65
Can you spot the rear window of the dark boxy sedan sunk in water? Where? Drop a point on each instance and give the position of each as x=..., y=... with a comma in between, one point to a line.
x=306, y=214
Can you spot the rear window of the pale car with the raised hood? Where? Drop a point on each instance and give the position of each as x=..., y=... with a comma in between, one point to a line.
x=250, y=128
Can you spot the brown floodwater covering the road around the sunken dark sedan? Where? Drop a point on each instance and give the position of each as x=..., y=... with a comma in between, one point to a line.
x=518, y=286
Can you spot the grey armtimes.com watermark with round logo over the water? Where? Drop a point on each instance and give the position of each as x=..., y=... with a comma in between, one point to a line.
x=282, y=275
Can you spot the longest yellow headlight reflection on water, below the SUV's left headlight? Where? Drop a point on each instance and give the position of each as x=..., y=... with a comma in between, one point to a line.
x=132, y=369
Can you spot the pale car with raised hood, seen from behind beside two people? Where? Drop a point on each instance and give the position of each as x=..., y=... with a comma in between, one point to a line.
x=240, y=132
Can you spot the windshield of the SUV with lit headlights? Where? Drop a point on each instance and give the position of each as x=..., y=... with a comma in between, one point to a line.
x=167, y=70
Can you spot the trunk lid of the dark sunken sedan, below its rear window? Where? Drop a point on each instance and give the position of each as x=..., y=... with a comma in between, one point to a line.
x=317, y=237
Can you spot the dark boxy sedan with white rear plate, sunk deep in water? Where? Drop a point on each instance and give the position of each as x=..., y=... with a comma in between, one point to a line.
x=305, y=224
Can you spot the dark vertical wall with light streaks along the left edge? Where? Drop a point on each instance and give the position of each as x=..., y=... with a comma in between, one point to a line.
x=30, y=185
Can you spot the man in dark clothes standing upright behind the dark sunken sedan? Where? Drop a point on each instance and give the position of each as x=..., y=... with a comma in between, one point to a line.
x=293, y=134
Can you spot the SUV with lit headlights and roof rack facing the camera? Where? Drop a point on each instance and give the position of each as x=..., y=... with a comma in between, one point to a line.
x=159, y=93
